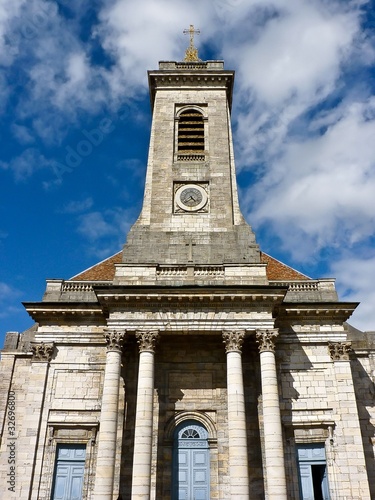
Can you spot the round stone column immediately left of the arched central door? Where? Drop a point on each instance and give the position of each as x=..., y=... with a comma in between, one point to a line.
x=144, y=414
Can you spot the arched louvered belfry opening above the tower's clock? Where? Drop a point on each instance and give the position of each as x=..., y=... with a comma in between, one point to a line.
x=191, y=132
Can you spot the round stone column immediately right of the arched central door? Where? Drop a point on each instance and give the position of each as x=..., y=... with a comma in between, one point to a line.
x=238, y=458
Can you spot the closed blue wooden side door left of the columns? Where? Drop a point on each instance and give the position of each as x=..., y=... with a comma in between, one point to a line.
x=69, y=472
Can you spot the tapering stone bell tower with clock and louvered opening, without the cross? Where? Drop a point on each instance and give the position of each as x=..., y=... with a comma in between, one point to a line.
x=190, y=215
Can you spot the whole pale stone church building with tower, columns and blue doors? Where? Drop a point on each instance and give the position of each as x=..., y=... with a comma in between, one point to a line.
x=190, y=365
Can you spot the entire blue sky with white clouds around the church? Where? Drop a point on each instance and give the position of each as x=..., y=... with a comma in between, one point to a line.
x=75, y=122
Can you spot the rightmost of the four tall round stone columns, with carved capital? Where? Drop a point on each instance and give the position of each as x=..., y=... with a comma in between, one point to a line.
x=273, y=437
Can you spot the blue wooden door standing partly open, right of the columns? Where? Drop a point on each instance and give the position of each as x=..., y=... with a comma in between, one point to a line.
x=313, y=472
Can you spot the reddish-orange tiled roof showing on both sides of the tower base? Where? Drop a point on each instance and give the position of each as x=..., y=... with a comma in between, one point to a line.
x=105, y=270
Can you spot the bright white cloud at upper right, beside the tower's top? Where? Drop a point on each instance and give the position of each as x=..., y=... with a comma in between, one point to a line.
x=297, y=53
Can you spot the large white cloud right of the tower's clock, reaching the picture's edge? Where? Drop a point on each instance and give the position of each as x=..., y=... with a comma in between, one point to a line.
x=323, y=188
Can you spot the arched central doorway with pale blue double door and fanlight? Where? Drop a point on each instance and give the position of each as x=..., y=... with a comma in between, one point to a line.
x=191, y=462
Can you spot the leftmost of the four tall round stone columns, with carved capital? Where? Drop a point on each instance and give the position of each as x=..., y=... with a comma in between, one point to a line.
x=106, y=456
